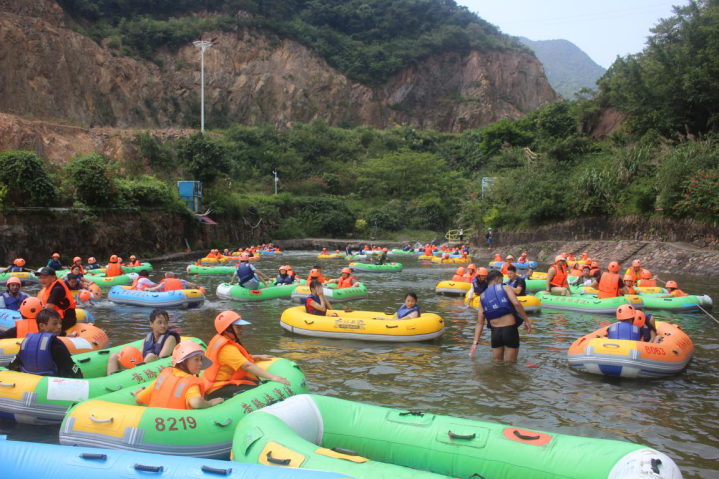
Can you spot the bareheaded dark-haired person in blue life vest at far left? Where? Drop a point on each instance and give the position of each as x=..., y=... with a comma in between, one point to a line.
x=42, y=353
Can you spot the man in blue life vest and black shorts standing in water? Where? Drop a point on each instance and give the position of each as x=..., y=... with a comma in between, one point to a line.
x=499, y=306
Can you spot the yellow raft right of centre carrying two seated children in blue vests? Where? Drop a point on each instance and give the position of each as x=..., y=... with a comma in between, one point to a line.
x=363, y=325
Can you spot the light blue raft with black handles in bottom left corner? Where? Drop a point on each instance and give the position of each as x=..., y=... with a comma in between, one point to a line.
x=27, y=459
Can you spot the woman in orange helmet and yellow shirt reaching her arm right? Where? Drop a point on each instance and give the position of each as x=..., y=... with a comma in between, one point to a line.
x=233, y=369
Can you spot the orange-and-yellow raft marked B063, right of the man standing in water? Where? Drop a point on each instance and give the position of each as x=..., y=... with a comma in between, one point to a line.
x=596, y=354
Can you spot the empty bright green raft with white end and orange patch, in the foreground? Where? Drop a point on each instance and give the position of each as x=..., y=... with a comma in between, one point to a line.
x=372, y=442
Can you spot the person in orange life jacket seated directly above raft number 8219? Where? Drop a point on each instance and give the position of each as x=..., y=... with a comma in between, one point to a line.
x=179, y=387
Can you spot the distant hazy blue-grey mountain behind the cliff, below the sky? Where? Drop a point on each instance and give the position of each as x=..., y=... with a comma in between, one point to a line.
x=568, y=68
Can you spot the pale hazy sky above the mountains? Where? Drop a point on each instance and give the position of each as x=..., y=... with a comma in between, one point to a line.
x=602, y=29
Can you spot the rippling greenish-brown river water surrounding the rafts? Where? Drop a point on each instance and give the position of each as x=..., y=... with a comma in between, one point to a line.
x=675, y=415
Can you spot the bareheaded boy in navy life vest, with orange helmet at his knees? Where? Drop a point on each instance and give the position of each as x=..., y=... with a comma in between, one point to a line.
x=159, y=343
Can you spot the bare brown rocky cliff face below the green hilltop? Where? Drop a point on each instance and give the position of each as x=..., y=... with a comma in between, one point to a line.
x=50, y=72
